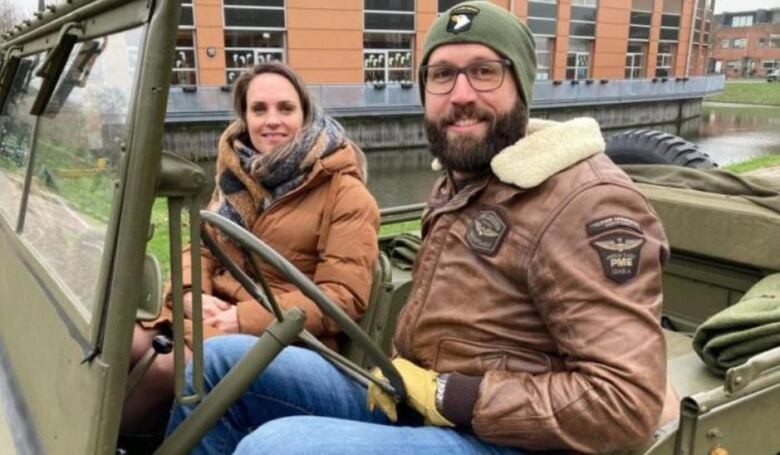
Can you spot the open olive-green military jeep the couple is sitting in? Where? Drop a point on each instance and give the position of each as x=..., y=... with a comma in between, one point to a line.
x=83, y=90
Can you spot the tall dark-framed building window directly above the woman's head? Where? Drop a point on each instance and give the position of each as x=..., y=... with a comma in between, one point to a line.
x=253, y=34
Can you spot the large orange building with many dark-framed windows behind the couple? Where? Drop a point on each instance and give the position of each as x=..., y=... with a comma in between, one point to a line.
x=379, y=41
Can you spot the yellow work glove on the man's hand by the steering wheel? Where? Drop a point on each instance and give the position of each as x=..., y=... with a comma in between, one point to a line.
x=420, y=393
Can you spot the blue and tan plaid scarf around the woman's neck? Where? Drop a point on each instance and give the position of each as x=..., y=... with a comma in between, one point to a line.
x=248, y=182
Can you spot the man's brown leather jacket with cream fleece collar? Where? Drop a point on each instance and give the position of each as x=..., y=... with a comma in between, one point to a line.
x=543, y=281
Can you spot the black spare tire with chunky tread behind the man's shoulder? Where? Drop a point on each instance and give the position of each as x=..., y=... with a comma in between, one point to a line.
x=656, y=147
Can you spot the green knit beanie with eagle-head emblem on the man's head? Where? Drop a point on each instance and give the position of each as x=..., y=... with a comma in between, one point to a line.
x=486, y=23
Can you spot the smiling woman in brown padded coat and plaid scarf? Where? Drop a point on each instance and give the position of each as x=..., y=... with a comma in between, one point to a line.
x=286, y=172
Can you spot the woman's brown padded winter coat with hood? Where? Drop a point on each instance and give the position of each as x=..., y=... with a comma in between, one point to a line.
x=327, y=227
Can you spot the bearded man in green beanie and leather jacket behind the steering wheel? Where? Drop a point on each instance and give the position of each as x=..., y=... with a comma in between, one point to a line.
x=534, y=320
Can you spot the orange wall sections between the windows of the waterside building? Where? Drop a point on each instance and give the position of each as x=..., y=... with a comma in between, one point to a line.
x=324, y=40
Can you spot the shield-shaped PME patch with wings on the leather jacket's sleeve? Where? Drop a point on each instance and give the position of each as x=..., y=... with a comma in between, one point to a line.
x=619, y=254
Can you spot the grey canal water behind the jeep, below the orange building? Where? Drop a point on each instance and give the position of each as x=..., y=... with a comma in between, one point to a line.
x=729, y=133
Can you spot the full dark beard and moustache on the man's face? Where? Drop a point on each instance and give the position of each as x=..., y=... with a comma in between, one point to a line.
x=469, y=154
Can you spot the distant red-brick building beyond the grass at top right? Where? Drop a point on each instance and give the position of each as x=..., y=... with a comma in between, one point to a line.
x=746, y=44
